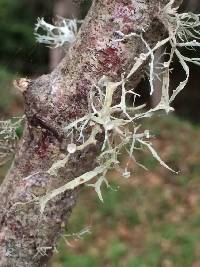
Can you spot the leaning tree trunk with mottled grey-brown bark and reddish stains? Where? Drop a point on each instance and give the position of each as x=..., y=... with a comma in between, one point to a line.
x=52, y=101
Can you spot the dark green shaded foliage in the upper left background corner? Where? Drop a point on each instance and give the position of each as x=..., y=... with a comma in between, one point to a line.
x=18, y=49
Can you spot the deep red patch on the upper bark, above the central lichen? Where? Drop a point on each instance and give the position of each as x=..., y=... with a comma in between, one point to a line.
x=109, y=59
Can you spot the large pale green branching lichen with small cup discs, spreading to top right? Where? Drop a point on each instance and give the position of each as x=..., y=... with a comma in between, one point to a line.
x=119, y=122
